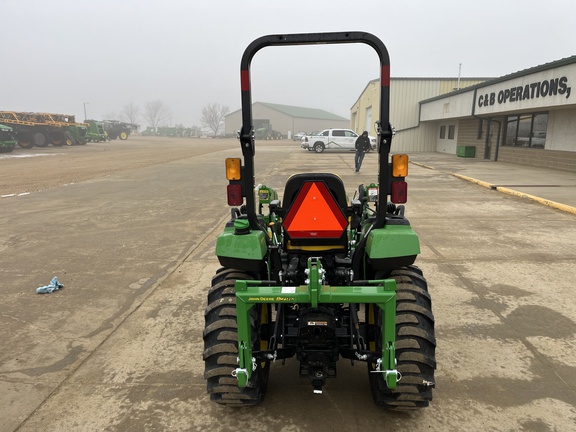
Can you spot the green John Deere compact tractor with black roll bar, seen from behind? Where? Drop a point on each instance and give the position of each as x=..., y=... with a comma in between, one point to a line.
x=317, y=276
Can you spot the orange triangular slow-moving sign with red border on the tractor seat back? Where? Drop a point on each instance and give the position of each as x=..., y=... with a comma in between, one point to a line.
x=315, y=214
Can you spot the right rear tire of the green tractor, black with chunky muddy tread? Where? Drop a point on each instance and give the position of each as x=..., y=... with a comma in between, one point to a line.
x=415, y=345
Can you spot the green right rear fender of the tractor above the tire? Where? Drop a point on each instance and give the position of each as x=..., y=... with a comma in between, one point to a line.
x=392, y=247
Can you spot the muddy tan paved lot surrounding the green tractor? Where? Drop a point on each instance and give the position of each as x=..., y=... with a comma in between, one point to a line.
x=130, y=228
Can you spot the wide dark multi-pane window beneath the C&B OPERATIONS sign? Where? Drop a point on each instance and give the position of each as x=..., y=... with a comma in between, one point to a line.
x=526, y=130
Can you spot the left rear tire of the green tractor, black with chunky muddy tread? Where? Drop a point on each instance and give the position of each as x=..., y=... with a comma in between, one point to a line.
x=221, y=344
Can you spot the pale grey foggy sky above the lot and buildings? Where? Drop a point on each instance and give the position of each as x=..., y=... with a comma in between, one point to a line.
x=59, y=55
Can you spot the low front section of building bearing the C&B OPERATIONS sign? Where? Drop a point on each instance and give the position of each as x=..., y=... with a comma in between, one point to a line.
x=527, y=117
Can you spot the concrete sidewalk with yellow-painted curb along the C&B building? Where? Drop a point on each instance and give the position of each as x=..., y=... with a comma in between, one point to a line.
x=549, y=187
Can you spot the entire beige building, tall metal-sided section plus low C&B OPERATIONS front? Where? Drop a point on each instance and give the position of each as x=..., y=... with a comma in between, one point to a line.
x=527, y=117
